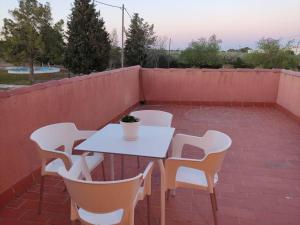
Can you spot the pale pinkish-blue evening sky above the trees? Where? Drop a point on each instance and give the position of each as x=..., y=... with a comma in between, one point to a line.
x=238, y=23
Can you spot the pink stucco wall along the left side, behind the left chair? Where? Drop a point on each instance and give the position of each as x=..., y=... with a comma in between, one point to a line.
x=88, y=101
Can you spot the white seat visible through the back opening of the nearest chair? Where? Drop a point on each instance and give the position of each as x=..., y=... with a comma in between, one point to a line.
x=111, y=218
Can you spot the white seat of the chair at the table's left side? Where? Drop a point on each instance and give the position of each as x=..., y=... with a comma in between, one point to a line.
x=92, y=161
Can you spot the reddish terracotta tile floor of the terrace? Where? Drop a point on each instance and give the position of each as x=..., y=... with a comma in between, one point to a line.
x=259, y=182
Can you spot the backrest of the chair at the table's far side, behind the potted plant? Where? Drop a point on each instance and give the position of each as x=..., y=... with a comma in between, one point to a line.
x=153, y=117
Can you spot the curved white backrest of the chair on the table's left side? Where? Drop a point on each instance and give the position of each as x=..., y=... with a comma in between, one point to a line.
x=55, y=135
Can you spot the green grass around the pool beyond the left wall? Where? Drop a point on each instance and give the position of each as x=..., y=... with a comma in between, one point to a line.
x=23, y=79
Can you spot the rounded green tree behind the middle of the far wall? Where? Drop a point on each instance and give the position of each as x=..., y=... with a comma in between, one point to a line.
x=203, y=53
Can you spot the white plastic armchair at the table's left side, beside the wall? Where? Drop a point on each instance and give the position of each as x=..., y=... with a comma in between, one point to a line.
x=49, y=138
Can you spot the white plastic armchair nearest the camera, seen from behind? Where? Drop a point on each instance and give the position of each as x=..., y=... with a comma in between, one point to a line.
x=105, y=203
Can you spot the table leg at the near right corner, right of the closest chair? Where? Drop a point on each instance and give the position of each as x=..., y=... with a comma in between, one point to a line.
x=162, y=192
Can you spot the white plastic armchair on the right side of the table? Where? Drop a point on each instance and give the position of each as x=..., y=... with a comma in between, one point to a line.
x=197, y=173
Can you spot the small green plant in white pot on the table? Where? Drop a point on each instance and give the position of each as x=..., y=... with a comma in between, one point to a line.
x=130, y=126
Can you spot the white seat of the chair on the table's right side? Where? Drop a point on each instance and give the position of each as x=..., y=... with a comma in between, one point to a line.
x=193, y=177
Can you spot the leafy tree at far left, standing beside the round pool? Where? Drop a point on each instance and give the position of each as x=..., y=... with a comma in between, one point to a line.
x=21, y=34
